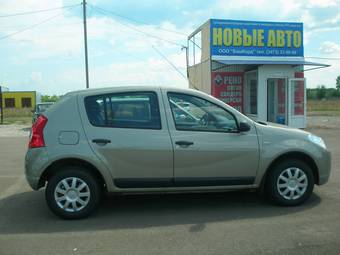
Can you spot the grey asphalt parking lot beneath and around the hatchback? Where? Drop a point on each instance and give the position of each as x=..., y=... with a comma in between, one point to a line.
x=223, y=223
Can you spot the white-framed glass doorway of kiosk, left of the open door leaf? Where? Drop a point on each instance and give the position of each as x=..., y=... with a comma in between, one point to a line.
x=277, y=100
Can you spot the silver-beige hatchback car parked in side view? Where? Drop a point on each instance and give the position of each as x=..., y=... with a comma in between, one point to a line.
x=151, y=139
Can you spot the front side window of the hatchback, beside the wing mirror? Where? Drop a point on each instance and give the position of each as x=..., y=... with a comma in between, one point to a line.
x=197, y=114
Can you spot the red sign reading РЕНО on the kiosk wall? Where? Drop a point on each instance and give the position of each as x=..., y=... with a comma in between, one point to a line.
x=228, y=87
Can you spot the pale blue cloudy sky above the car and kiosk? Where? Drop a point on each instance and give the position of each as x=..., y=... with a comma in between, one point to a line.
x=49, y=57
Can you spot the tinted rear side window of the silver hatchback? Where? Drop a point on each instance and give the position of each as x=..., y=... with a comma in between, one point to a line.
x=124, y=110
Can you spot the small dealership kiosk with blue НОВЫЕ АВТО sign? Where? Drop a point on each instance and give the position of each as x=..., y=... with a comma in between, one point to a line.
x=256, y=67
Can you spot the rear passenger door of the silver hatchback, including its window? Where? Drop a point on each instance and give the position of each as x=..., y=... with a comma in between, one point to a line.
x=128, y=131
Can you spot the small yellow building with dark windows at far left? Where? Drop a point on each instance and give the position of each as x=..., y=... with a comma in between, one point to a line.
x=20, y=99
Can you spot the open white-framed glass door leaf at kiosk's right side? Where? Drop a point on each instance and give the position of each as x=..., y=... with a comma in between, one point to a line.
x=297, y=103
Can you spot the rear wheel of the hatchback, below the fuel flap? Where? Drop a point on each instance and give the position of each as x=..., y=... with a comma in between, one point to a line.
x=73, y=193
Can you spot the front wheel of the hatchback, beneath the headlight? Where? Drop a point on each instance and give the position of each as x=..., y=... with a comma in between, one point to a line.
x=290, y=183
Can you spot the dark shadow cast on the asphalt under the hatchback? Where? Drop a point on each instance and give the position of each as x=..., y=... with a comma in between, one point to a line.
x=28, y=213
